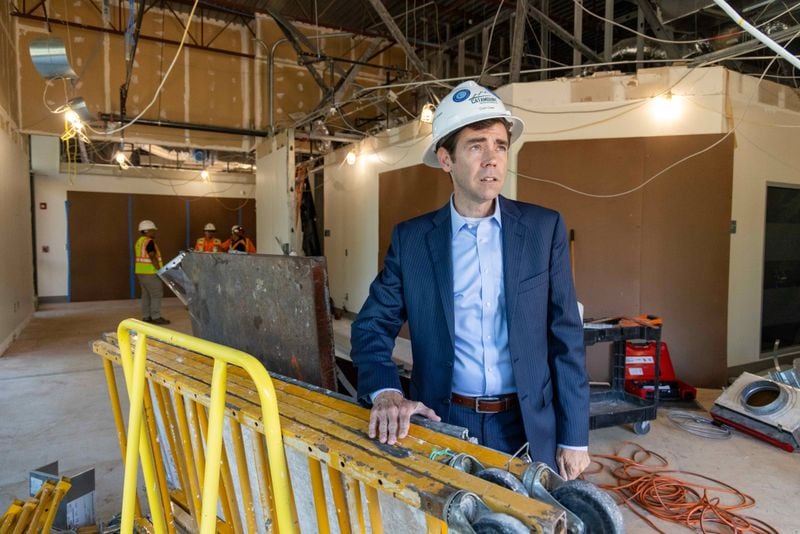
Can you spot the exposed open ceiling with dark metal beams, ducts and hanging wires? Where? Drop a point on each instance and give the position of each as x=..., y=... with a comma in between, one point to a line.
x=447, y=40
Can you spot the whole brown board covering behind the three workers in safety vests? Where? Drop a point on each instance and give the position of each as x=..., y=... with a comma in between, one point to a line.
x=100, y=251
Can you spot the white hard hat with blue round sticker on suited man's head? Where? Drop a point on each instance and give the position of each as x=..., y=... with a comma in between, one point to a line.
x=467, y=103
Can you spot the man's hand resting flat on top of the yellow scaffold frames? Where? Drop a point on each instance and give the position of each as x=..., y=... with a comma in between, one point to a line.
x=391, y=414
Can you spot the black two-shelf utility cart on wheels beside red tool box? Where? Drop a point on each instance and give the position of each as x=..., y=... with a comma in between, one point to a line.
x=610, y=404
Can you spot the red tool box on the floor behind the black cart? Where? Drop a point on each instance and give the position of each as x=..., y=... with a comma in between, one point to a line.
x=640, y=373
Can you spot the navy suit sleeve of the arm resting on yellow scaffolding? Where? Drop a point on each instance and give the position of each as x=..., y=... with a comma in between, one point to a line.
x=374, y=331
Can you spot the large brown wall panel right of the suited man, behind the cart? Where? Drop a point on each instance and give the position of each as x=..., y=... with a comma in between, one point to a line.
x=663, y=249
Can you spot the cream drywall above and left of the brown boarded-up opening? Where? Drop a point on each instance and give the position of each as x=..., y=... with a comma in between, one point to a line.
x=51, y=186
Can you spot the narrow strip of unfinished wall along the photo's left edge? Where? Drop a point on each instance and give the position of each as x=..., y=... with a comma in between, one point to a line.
x=16, y=265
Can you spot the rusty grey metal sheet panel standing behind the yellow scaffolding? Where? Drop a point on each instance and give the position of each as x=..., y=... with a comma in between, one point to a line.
x=273, y=307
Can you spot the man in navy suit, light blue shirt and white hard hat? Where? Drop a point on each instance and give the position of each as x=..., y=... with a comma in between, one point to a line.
x=486, y=287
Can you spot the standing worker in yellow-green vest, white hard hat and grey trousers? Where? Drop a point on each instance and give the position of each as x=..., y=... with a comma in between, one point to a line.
x=148, y=262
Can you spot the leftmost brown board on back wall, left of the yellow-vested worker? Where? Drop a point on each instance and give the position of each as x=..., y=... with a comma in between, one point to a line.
x=99, y=261
